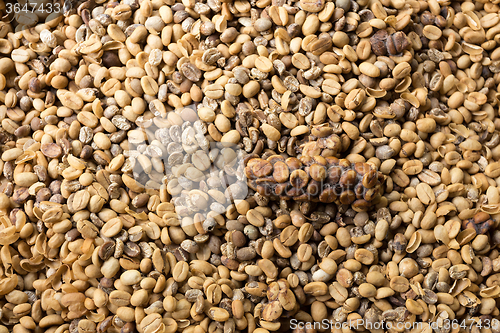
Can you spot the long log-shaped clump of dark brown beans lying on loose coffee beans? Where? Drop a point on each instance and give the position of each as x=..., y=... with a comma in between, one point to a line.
x=327, y=180
